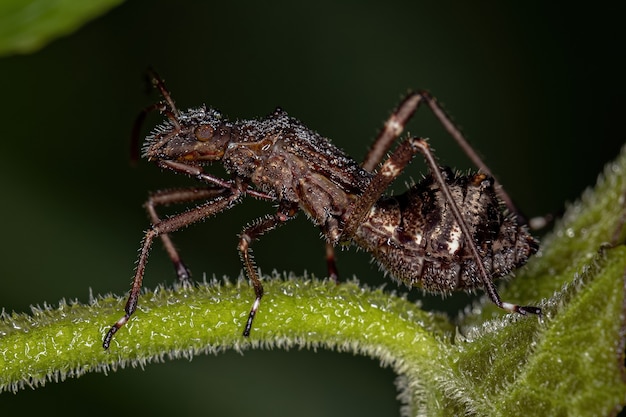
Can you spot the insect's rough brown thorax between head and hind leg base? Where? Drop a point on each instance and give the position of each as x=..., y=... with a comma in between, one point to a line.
x=285, y=159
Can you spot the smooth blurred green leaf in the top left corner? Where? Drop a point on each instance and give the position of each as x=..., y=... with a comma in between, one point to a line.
x=26, y=26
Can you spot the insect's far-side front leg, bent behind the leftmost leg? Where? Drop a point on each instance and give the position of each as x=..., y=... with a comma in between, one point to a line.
x=167, y=197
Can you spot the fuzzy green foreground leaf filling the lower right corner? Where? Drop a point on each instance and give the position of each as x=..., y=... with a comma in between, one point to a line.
x=570, y=364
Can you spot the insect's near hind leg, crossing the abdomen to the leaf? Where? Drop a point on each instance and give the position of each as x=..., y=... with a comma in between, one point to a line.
x=390, y=170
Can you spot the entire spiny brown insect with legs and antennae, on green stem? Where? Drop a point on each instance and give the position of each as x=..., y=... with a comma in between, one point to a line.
x=448, y=232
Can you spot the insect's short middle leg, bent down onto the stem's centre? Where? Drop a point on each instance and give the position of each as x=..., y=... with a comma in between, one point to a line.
x=249, y=235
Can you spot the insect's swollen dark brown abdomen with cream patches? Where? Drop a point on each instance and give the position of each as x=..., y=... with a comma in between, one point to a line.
x=415, y=238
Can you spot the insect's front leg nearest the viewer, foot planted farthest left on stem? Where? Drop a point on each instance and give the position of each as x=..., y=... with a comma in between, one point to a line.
x=168, y=225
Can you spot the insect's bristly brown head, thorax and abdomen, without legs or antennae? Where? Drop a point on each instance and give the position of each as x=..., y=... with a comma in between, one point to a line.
x=414, y=236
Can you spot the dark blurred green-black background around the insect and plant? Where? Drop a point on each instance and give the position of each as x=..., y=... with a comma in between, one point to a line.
x=538, y=89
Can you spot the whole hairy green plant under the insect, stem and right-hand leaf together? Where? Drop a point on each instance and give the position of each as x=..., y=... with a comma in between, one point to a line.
x=568, y=363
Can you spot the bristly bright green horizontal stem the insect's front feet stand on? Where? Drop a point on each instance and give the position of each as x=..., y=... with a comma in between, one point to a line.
x=52, y=344
